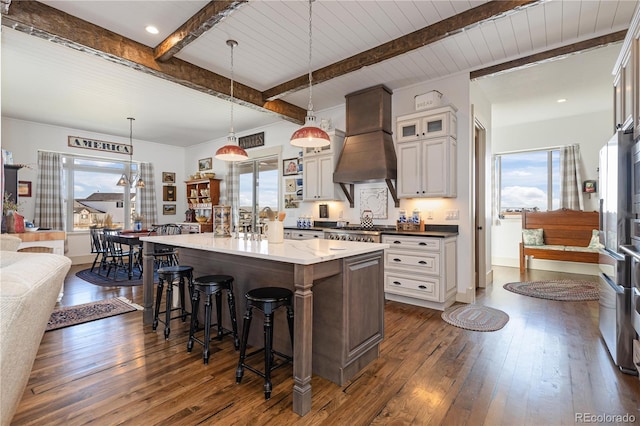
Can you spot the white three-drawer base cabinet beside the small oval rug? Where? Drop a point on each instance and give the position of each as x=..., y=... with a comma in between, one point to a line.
x=420, y=270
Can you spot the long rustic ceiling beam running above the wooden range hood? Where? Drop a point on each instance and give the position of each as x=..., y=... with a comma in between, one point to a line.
x=401, y=45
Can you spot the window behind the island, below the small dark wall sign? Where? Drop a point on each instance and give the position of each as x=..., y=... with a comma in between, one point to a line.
x=259, y=188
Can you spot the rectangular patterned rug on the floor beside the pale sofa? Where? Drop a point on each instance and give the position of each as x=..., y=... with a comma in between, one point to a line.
x=73, y=315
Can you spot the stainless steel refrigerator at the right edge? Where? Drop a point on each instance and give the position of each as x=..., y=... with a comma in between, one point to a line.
x=615, y=216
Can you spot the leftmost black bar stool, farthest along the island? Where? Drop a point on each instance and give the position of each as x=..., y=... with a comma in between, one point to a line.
x=170, y=274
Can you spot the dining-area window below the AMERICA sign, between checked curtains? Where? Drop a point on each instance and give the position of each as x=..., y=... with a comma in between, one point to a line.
x=91, y=192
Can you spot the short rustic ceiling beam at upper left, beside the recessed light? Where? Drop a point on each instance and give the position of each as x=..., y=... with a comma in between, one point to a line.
x=206, y=18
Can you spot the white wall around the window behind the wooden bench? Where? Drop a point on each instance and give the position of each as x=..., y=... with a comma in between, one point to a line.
x=590, y=131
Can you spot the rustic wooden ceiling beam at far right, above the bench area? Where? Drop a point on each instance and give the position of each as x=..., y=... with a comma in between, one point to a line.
x=549, y=54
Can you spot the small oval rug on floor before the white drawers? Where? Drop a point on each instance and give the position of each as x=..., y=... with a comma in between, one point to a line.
x=475, y=317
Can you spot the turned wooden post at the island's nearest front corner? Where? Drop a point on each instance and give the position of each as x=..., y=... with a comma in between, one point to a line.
x=303, y=331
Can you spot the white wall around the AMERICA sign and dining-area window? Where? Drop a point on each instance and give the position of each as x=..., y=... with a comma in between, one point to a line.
x=24, y=138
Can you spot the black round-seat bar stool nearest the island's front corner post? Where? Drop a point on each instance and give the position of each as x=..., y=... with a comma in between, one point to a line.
x=266, y=299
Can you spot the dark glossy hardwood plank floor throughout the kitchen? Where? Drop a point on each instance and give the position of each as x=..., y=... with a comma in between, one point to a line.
x=547, y=365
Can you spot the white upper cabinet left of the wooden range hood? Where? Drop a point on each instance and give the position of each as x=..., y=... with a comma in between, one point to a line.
x=317, y=170
